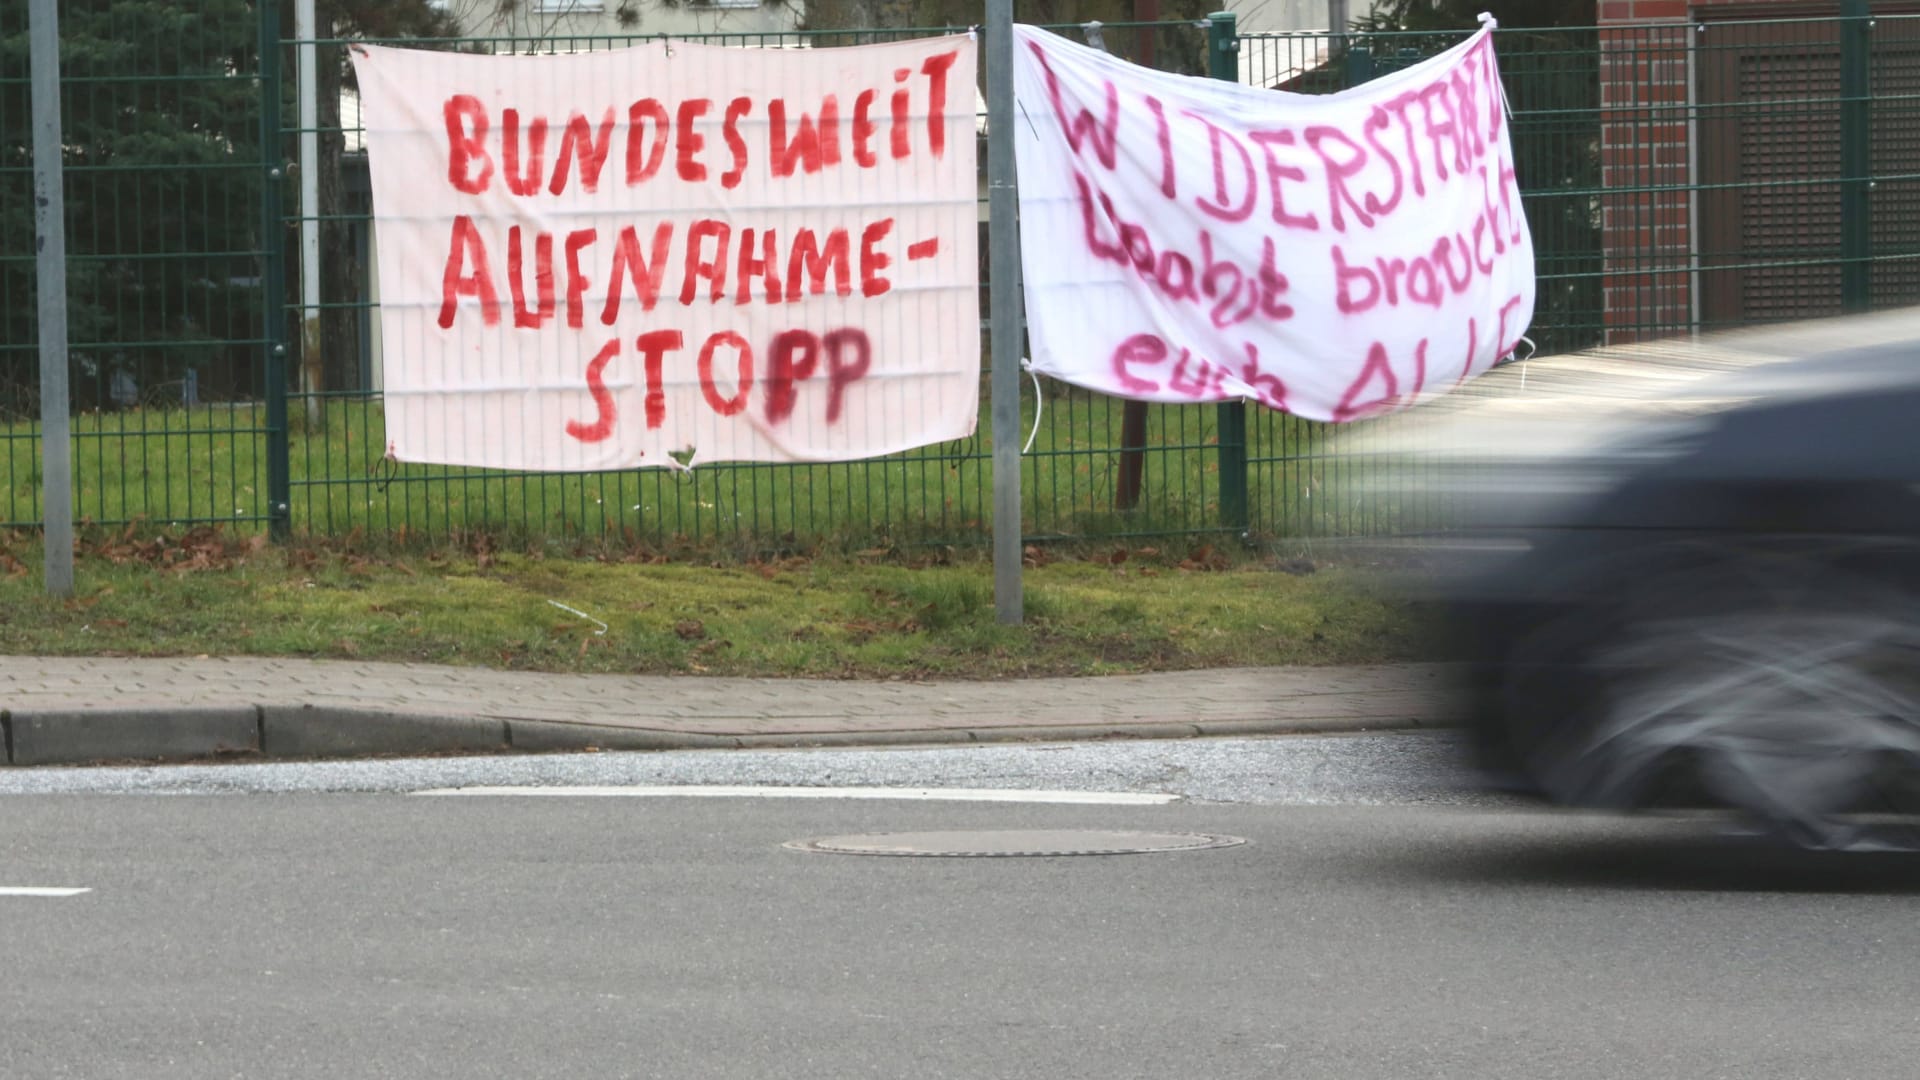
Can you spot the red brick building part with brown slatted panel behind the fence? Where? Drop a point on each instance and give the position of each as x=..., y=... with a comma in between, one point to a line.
x=1725, y=137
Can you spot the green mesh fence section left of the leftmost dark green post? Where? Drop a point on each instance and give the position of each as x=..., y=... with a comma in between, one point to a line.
x=162, y=114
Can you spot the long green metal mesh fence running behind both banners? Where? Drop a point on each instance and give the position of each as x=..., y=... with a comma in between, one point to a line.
x=1675, y=176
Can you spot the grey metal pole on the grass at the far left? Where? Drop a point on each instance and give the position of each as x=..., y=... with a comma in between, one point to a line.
x=51, y=243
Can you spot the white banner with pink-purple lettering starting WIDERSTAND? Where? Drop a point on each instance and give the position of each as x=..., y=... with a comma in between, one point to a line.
x=1333, y=257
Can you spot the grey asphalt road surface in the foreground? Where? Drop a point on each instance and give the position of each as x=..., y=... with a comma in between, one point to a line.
x=1393, y=931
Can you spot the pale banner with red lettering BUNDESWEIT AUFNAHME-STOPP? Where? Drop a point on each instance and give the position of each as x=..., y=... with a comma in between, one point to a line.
x=604, y=260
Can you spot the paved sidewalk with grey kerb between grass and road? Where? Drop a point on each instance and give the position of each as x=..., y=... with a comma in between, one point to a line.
x=66, y=710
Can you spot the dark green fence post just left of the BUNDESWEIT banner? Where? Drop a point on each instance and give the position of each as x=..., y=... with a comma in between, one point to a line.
x=274, y=272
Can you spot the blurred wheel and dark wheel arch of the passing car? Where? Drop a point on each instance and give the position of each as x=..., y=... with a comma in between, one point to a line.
x=1773, y=677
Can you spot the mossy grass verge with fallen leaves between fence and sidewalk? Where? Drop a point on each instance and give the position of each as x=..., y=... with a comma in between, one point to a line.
x=1101, y=612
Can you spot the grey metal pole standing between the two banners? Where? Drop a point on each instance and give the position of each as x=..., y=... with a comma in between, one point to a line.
x=1007, y=312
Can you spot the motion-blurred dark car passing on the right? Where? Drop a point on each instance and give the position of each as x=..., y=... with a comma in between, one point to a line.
x=1691, y=577
